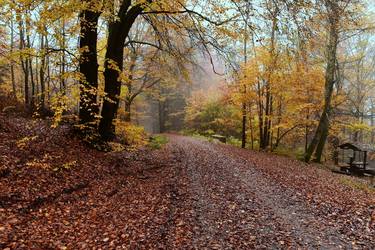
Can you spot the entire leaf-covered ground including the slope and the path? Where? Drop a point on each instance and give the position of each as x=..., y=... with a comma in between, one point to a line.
x=55, y=193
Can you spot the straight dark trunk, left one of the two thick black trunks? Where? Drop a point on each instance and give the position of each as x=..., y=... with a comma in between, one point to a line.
x=88, y=68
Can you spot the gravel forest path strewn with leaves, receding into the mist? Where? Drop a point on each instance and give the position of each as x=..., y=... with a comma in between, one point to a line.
x=230, y=204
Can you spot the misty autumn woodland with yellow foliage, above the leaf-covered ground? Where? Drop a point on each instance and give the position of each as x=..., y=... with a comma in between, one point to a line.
x=269, y=73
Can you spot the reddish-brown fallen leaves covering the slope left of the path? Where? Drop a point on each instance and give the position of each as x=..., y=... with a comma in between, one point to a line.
x=89, y=198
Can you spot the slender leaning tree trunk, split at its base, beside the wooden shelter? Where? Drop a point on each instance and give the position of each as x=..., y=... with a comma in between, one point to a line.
x=321, y=133
